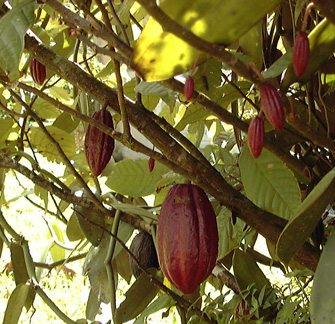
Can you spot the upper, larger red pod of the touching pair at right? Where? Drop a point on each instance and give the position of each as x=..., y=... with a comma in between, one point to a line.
x=272, y=105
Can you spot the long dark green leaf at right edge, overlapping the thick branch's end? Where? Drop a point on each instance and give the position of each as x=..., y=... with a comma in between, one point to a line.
x=309, y=213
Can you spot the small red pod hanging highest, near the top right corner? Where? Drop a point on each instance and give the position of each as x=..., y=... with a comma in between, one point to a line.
x=301, y=54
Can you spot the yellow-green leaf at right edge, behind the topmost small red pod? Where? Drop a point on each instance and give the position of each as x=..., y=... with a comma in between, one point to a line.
x=322, y=46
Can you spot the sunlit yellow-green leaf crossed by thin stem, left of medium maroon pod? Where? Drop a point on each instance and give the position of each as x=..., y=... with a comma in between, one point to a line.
x=49, y=150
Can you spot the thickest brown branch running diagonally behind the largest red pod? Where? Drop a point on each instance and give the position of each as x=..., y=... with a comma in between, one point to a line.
x=267, y=224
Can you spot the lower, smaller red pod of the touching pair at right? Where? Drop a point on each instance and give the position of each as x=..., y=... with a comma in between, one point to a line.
x=256, y=136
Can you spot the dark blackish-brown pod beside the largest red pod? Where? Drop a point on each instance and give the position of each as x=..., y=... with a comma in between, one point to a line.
x=144, y=250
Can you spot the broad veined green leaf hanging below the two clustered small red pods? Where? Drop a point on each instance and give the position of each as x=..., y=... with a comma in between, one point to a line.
x=269, y=184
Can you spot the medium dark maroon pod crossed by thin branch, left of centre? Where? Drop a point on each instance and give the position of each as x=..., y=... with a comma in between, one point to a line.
x=99, y=146
